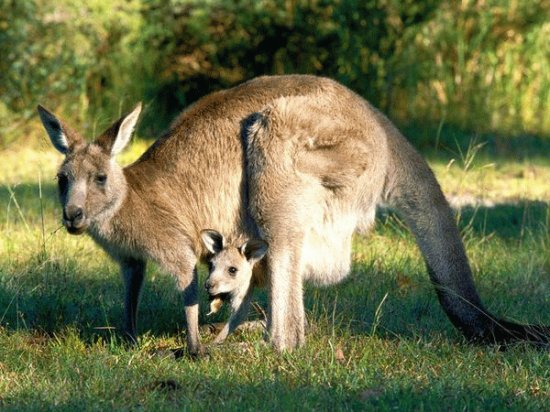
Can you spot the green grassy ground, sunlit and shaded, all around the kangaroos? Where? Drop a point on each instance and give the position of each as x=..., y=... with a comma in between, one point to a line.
x=377, y=341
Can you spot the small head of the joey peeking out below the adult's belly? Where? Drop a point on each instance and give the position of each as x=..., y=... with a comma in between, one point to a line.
x=230, y=267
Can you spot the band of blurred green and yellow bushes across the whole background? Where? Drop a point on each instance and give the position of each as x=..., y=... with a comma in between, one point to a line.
x=476, y=65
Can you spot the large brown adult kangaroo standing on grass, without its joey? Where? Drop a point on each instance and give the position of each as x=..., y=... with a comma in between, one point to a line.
x=306, y=158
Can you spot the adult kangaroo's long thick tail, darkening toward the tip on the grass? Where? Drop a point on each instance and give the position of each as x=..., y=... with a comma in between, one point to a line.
x=411, y=188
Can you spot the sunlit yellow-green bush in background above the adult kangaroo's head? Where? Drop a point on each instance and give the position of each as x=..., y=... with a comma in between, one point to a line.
x=70, y=56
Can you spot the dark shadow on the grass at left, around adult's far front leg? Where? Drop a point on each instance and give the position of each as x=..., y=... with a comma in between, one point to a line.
x=50, y=297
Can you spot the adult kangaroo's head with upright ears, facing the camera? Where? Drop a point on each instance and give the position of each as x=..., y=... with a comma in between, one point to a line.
x=91, y=184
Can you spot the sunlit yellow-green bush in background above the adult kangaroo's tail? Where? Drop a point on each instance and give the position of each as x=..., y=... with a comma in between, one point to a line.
x=483, y=67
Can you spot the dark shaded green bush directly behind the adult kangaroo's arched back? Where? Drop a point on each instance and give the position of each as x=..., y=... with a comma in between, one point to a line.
x=205, y=46
